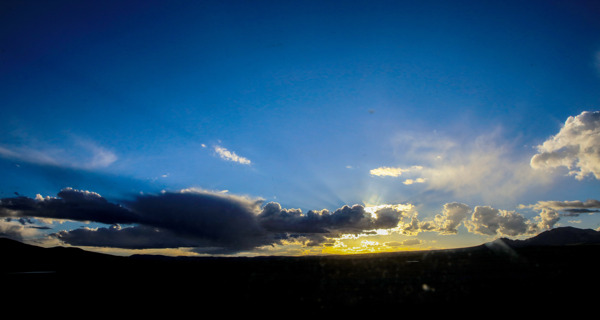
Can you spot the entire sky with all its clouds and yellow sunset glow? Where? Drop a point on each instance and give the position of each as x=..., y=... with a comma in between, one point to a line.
x=296, y=127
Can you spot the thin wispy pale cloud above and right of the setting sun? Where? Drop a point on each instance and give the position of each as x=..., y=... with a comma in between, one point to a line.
x=485, y=168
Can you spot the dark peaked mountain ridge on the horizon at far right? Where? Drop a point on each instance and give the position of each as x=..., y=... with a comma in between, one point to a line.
x=563, y=236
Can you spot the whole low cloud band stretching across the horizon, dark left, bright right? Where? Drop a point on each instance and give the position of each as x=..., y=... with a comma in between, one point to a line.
x=217, y=222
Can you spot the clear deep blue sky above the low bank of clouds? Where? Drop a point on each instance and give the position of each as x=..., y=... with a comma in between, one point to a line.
x=121, y=98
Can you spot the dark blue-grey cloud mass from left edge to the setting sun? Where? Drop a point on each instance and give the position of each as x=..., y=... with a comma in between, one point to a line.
x=208, y=221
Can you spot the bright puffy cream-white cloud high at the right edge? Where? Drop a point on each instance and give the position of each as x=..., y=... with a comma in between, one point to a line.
x=576, y=147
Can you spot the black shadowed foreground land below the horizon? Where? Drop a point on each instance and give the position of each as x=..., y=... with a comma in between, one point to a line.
x=494, y=275
